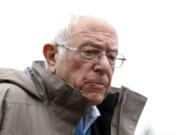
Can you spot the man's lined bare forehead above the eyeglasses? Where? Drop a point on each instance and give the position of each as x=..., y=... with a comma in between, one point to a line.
x=87, y=28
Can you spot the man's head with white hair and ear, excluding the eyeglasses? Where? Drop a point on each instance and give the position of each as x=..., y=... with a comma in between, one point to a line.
x=92, y=79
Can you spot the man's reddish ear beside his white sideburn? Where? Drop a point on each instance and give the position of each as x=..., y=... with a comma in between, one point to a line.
x=50, y=52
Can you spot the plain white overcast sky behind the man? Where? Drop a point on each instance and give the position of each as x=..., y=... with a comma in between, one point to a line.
x=149, y=37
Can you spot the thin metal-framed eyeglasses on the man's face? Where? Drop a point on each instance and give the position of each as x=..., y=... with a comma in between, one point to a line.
x=92, y=55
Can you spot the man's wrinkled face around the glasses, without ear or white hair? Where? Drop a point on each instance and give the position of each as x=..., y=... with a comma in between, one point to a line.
x=92, y=79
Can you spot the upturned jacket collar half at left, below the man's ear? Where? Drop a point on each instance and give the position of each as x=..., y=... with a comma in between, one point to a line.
x=54, y=90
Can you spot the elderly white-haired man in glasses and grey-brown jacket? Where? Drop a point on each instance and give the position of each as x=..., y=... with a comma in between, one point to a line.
x=72, y=95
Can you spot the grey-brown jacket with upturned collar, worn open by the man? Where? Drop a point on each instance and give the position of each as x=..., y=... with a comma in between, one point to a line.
x=38, y=103
